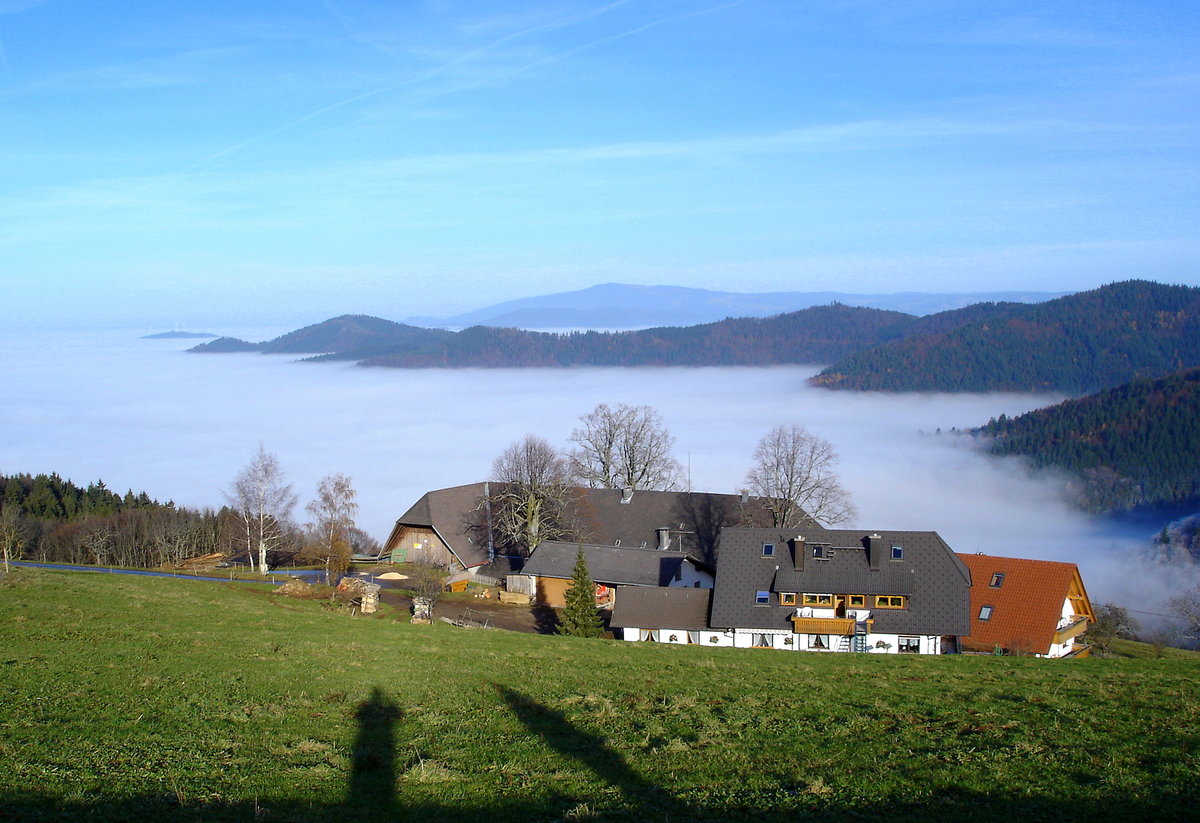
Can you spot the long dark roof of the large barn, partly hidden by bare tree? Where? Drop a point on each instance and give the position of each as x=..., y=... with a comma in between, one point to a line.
x=693, y=520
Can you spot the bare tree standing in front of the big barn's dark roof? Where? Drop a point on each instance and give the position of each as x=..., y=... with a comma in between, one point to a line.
x=530, y=501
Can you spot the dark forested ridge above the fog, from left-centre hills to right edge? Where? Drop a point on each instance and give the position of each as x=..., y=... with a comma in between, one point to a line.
x=1075, y=345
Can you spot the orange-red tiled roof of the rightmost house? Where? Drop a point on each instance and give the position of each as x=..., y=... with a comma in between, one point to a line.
x=1025, y=608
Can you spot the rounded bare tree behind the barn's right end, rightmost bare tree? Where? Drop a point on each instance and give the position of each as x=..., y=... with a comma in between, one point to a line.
x=794, y=473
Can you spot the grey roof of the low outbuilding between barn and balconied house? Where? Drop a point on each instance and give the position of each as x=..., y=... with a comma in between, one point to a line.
x=607, y=564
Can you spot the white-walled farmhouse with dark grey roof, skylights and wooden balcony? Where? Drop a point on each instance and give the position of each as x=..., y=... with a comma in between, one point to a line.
x=829, y=591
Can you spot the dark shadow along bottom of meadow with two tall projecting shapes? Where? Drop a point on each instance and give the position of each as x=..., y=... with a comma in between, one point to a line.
x=371, y=792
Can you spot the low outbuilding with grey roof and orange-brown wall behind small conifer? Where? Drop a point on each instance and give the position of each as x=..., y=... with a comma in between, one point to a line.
x=550, y=569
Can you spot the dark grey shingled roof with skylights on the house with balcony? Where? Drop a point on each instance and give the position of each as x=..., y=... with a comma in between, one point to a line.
x=933, y=579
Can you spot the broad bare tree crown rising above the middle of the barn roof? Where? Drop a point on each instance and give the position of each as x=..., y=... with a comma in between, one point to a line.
x=625, y=448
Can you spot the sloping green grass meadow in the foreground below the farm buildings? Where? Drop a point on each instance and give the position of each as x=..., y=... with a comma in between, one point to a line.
x=157, y=699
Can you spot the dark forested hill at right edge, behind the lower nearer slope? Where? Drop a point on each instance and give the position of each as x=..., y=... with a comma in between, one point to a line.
x=1079, y=344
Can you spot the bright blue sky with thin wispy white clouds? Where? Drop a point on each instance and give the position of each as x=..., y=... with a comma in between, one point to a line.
x=219, y=164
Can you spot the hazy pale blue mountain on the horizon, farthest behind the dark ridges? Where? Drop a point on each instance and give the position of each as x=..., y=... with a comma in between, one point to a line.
x=625, y=307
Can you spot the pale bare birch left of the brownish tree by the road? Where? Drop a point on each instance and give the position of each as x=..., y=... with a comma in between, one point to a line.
x=263, y=504
